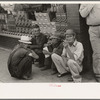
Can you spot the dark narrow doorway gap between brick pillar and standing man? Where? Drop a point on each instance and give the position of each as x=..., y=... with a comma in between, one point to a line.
x=87, y=63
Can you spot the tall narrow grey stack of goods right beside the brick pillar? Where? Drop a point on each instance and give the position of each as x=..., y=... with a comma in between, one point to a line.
x=61, y=20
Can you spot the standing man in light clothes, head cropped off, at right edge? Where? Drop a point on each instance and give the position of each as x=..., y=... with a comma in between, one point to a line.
x=92, y=14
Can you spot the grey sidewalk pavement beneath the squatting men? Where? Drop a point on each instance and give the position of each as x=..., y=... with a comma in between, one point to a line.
x=38, y=75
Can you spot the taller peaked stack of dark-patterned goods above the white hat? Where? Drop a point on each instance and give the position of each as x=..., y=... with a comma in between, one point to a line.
x=23, y=24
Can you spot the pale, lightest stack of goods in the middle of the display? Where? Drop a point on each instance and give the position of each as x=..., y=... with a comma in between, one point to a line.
x=44, y=23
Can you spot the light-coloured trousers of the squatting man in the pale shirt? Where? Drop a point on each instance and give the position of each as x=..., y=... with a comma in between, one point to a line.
x=73, y=67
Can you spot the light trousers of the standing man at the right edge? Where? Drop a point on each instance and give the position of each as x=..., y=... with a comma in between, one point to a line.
x=94, y=32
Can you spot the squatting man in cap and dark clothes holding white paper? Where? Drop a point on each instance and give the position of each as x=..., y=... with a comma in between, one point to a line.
x=51, y=47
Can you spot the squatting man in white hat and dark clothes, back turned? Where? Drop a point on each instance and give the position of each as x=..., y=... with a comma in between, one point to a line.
x=20, y=59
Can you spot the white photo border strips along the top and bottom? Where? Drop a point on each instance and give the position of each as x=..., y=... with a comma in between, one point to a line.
x=50, y=90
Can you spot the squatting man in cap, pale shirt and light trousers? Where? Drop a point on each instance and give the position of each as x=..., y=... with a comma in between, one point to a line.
x=71, y=58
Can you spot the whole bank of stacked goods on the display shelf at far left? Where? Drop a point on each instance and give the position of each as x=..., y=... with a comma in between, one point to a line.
x=19, y=25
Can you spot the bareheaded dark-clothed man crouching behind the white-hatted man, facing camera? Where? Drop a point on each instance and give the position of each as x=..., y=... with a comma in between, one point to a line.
x=38, y=41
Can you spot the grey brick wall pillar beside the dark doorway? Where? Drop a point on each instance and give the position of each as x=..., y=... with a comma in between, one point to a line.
x=73, y=18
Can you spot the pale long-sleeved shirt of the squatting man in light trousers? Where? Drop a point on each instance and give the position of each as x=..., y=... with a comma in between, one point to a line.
x=77, y=51
